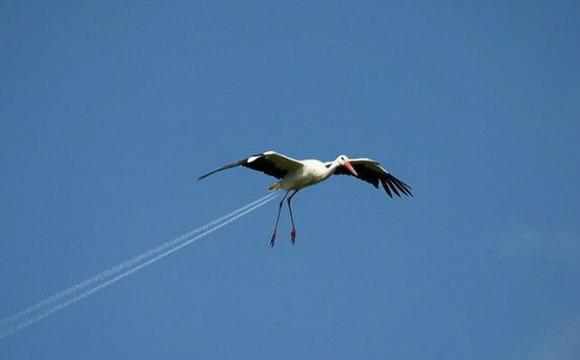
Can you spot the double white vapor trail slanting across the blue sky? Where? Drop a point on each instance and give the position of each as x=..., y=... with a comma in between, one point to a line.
x=105, y=278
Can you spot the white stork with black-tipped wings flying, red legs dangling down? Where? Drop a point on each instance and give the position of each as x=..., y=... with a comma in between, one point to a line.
x=294, y=175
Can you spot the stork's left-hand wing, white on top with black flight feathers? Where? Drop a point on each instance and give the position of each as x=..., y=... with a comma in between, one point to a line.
x=270, y=163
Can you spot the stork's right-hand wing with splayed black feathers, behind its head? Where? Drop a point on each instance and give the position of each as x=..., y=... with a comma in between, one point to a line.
x=372, y=172
